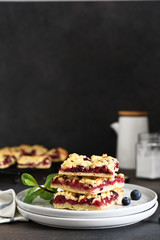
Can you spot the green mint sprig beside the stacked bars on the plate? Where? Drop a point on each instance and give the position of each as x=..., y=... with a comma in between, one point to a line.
x=45, y=192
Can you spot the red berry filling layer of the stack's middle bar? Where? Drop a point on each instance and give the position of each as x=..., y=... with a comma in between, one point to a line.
x=79, y=185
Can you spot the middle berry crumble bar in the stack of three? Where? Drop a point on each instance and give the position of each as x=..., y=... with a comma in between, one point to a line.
x=87, y=185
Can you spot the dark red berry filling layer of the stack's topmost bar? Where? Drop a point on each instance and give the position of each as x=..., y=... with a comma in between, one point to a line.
x=79, y=168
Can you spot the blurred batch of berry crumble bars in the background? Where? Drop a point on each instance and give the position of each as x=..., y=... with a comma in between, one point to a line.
x=27, y=156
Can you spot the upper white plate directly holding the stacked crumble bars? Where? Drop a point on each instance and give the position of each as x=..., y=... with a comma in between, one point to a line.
x=43, y=207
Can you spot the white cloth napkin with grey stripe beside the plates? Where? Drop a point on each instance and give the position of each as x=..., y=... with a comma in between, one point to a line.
x=8, y=210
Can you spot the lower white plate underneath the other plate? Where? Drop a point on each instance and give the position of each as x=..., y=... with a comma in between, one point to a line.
x=96, y=223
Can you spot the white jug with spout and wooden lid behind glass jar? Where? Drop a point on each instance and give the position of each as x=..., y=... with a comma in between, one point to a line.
x=129, y=125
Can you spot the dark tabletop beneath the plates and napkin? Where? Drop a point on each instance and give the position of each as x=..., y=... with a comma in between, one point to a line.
x=148, y=229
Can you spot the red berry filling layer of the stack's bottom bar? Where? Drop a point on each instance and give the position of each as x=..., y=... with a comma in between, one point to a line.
x=60, y=199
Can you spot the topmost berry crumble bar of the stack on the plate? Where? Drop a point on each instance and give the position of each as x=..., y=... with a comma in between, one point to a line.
x=98, y=166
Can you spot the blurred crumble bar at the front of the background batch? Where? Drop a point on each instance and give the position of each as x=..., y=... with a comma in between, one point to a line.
x=34, y=162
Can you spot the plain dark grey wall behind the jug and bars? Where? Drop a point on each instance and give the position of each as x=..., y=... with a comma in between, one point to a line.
x=67, y=68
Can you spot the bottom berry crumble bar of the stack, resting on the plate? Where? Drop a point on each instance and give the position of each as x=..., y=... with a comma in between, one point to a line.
x=87, y=202
